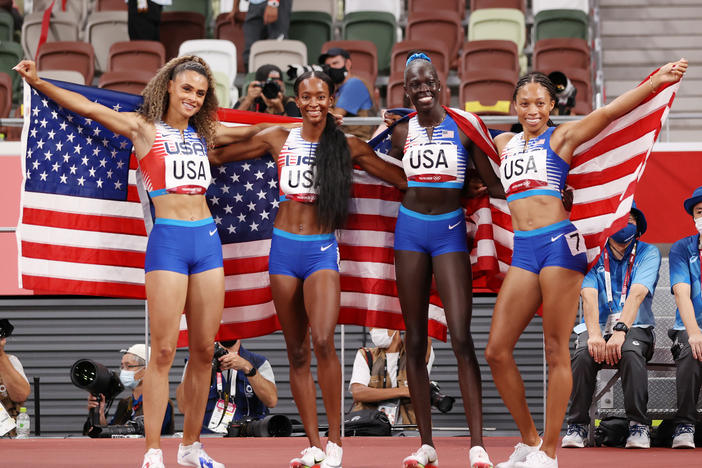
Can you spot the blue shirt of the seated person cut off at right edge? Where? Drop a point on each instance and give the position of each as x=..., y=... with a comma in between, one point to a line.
x=684, y=260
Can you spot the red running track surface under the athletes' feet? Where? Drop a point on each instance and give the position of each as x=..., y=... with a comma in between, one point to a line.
x=359, y=452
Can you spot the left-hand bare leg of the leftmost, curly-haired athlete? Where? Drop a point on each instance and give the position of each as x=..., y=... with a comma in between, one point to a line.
x=165, y=294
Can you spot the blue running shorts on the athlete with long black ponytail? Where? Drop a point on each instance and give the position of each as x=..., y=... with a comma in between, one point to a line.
x=300, y=255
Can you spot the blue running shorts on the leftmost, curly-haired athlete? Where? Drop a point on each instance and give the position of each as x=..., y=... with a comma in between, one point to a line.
x=186, y=247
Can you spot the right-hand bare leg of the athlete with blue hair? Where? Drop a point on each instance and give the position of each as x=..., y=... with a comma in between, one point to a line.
x=455, y=284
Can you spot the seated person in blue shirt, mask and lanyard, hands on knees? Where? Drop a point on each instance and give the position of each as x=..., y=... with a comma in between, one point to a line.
x=617, y=330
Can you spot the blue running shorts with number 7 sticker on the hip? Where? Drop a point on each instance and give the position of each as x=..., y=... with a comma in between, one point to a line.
x=558, y=244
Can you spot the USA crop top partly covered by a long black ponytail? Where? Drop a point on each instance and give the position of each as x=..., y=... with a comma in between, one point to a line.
x=296, y=169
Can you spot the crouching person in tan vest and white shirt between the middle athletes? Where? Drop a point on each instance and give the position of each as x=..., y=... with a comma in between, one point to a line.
x=379, y=378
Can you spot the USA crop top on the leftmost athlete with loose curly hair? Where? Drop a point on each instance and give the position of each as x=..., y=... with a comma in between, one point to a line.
x=176, y=163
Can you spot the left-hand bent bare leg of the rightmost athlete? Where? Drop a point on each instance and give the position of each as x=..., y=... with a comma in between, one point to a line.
x=517, y=302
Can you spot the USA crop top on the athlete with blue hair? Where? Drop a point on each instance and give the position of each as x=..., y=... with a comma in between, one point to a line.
x=436, y=162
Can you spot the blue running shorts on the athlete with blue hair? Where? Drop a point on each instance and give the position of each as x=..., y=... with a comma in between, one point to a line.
x=431, y=234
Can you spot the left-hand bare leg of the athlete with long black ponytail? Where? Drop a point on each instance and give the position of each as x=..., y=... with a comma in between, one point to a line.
x=289, y=305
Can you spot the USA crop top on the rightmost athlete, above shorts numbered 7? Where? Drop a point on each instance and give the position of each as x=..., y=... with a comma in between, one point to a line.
x=532, y=169
